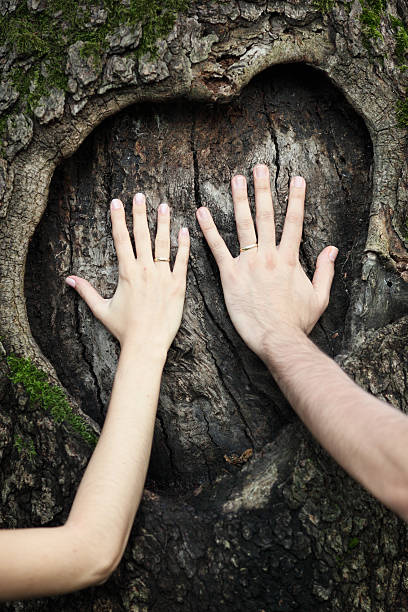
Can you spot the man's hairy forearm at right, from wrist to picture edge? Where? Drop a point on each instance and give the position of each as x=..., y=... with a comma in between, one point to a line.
x=366, y=436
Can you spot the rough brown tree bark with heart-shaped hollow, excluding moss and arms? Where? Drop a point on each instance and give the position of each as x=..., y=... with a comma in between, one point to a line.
x=283, y=528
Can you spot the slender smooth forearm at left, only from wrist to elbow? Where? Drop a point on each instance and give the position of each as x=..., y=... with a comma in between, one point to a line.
x=110, y=491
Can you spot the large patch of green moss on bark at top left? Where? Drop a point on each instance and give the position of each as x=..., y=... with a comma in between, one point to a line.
x=42, y=38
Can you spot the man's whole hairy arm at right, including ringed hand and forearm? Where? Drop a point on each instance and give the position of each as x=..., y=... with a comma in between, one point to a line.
x=273, y=306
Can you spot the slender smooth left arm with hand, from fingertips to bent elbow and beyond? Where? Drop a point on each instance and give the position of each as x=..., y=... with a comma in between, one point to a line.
x=144, y=314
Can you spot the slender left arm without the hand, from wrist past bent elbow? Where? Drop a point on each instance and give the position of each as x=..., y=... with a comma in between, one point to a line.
x=85, y=551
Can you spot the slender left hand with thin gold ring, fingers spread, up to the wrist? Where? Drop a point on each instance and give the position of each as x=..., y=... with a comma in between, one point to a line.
x=147, y=306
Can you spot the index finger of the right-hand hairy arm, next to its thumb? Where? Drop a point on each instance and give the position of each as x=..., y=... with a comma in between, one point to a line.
x=293, y=227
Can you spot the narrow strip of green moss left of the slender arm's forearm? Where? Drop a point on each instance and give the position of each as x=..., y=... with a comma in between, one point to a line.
x=49, y=397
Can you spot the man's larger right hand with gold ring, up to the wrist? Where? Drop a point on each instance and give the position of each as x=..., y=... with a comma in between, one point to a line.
x=266, y=289
